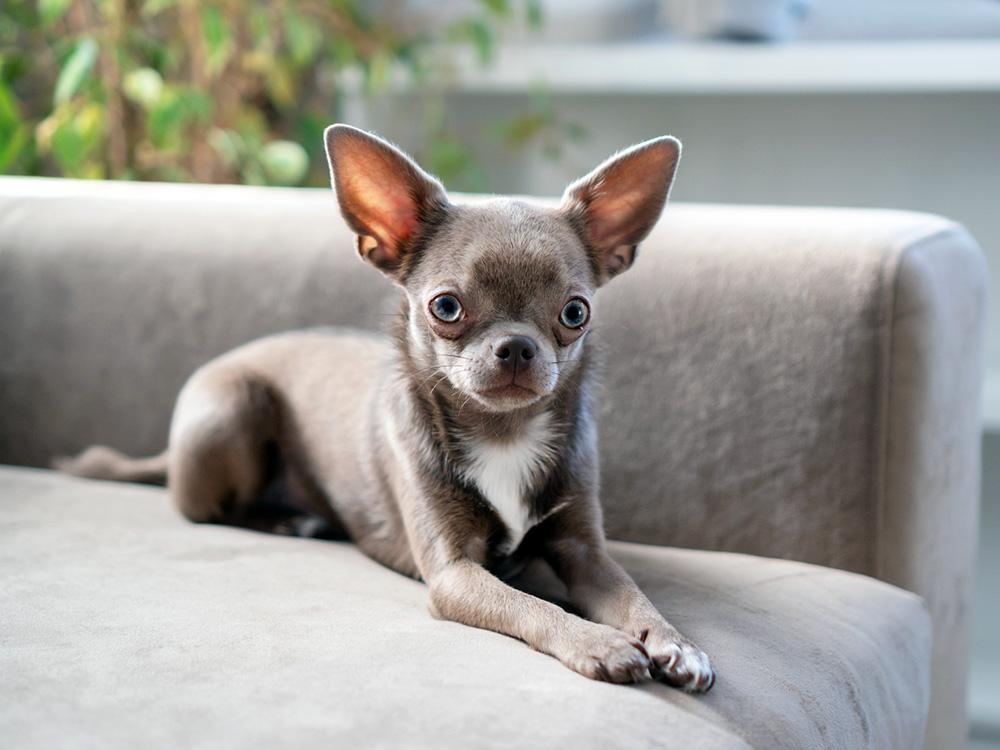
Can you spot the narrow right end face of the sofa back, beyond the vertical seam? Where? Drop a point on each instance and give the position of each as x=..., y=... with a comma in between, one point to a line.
x=929, y=511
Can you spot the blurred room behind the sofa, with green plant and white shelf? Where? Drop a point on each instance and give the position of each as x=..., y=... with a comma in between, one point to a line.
x=875, y=103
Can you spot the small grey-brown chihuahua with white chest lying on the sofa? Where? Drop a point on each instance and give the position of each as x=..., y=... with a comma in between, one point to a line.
x=466, y=453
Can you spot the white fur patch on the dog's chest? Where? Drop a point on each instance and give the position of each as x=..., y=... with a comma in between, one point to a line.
x=504, y=472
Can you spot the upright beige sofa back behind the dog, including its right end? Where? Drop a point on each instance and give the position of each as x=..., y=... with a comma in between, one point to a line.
x=795, y=383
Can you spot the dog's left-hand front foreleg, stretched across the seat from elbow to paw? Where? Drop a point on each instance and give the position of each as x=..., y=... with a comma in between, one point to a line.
x=466, y=592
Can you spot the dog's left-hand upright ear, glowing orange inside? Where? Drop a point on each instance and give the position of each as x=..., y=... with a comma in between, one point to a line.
x=384, y=196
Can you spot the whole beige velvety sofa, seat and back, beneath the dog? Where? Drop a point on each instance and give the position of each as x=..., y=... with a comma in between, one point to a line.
x=782, y=384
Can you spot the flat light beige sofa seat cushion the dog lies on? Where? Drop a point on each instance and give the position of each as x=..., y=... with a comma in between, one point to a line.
x=121, y=625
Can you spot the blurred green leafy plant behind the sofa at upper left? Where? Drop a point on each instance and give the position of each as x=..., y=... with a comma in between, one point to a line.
x=222, y=90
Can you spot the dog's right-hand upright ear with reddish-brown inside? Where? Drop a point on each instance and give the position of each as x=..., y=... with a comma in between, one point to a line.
x=617, y=204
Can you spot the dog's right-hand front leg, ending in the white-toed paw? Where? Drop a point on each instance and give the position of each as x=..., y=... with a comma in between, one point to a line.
x=602, y=590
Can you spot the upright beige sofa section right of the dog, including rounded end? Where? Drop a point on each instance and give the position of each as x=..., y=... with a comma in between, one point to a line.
x=805, y=383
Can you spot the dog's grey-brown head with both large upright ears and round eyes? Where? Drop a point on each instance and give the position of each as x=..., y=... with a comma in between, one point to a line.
x=500, y=293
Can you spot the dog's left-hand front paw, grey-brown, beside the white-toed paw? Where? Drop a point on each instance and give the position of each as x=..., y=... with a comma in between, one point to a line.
x=609, y=655
